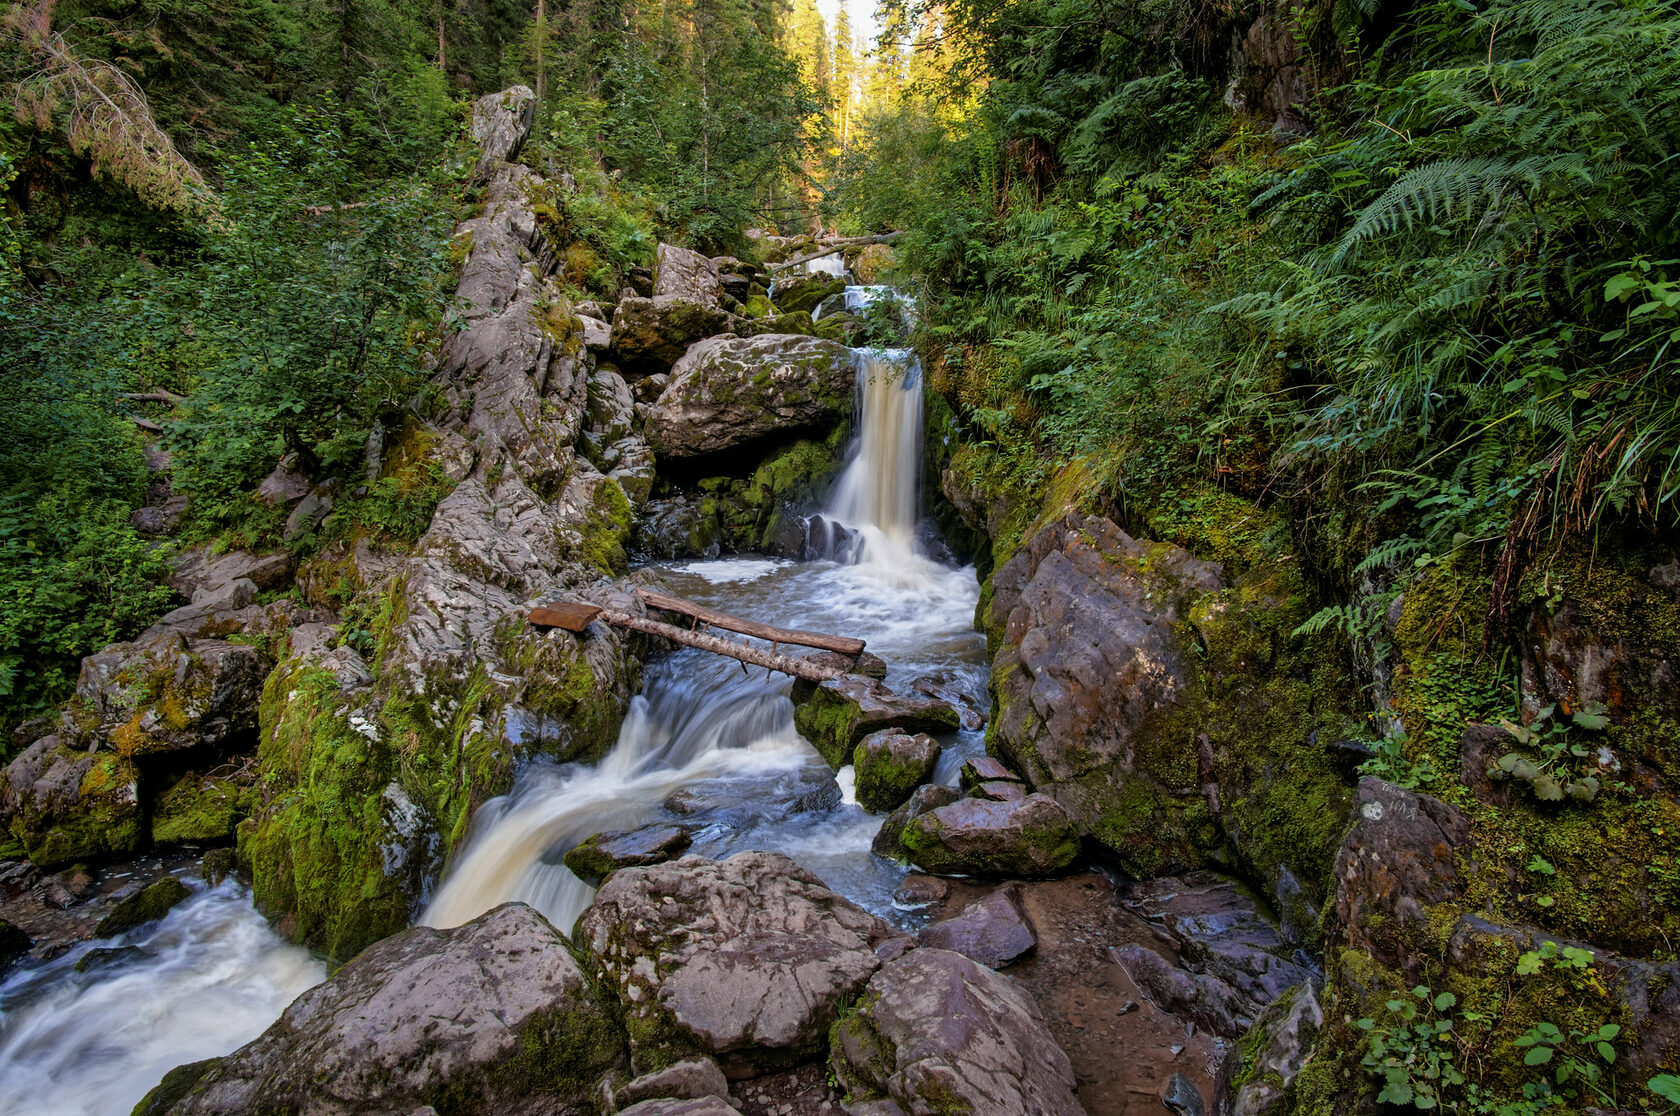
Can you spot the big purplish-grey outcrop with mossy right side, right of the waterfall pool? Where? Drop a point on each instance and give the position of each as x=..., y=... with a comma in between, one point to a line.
x=1170, y=708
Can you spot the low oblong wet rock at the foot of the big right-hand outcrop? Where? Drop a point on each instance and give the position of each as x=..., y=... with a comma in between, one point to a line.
x=1031, y=840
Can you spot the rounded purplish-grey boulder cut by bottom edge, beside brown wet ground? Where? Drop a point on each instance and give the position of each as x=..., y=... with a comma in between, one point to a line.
x=938, y=1033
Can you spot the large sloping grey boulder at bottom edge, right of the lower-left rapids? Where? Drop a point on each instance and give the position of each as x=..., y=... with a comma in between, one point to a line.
x=490, y=1018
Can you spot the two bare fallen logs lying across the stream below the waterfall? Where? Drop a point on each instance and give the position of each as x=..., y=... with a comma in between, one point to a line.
x=577, y=616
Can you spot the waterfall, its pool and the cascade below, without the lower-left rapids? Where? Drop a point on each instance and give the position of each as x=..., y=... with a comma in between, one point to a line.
x=703, y=724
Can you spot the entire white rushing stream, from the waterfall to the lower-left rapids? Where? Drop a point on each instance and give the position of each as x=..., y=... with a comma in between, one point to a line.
x=708, y=744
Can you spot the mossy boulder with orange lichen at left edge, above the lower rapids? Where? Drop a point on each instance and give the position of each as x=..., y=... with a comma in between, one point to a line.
x=66, y=804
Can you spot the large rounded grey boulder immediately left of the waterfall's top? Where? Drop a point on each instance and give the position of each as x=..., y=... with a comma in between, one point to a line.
x=732, y=392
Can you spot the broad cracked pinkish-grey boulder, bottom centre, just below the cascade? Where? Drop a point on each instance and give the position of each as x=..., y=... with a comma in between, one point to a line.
x=747, y=961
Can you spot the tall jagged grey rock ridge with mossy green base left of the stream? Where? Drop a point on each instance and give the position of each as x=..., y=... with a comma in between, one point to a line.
x=355, y=818
